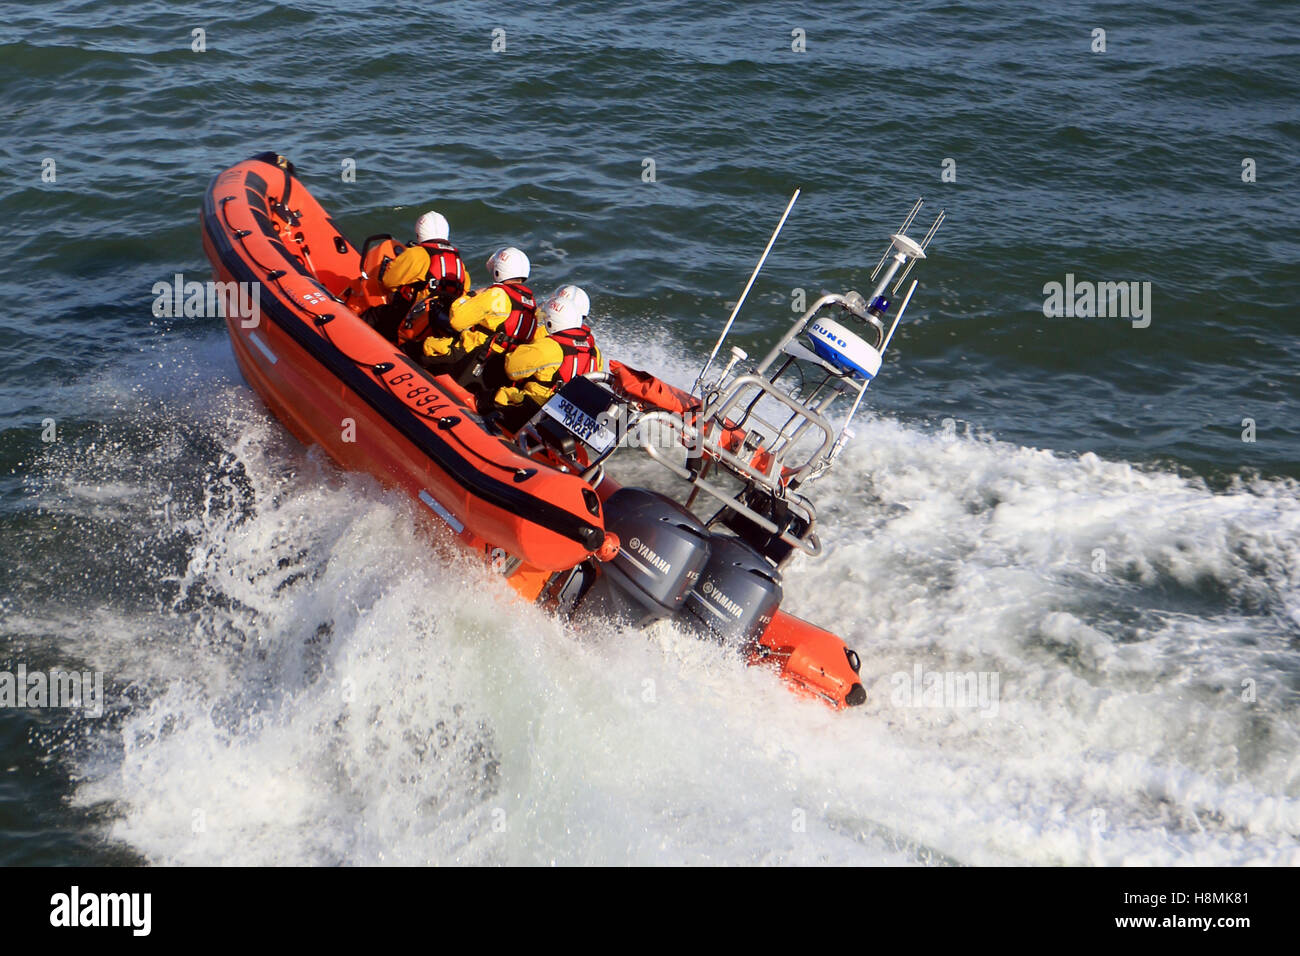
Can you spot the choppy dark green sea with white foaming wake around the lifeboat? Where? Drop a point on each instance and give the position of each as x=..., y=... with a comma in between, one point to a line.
x=293, y=677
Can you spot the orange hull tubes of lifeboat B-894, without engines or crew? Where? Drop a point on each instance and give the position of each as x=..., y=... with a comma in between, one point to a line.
x=339, y=384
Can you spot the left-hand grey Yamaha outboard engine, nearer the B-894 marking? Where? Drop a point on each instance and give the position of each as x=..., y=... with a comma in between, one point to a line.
x=662, y=551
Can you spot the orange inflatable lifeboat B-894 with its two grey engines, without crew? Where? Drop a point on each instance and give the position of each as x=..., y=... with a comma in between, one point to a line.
x=536, y=505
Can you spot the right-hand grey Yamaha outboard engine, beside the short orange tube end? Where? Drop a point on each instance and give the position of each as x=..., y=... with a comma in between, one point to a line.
x=738, y=594
